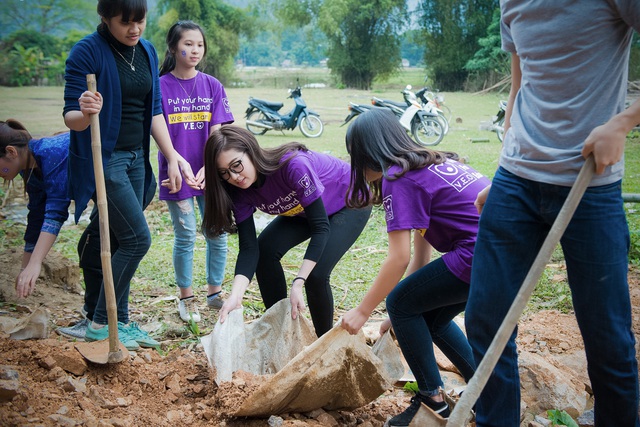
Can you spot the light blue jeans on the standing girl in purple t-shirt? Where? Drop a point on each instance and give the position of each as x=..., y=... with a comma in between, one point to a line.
x=185, y=227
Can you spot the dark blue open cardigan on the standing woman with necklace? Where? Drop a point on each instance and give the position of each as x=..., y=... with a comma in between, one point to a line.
x=93, y=55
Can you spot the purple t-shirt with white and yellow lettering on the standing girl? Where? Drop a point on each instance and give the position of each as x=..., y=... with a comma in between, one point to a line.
x=191, y=107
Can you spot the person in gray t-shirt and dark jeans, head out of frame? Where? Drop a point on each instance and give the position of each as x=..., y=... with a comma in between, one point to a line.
x=569, y=64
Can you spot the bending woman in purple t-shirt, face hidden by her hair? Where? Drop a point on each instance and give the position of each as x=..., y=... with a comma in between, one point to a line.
x=429, y=195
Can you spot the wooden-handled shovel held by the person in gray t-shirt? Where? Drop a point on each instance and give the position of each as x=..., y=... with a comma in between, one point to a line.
x=462, y=410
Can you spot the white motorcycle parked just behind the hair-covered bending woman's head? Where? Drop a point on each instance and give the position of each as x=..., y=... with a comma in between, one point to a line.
x=423, y=124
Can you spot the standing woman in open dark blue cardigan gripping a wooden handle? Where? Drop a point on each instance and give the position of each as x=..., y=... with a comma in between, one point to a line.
x=128, y=102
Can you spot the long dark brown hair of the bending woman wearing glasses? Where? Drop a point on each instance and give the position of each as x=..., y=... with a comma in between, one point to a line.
x=218, y=215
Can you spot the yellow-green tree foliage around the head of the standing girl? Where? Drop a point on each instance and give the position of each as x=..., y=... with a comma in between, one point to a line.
x=222, y=25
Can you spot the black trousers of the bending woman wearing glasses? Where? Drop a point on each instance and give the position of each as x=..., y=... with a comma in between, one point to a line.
x=284, y=233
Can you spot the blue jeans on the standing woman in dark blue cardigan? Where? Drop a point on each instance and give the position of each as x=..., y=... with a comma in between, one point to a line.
x=124, y=183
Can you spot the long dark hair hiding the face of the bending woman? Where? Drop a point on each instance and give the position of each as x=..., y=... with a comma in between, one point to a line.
x=376, y=141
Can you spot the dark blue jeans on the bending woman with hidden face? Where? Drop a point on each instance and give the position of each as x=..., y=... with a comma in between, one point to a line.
x=421, y=308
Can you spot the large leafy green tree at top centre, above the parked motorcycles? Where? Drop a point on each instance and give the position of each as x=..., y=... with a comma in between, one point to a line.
x=363, y=37
